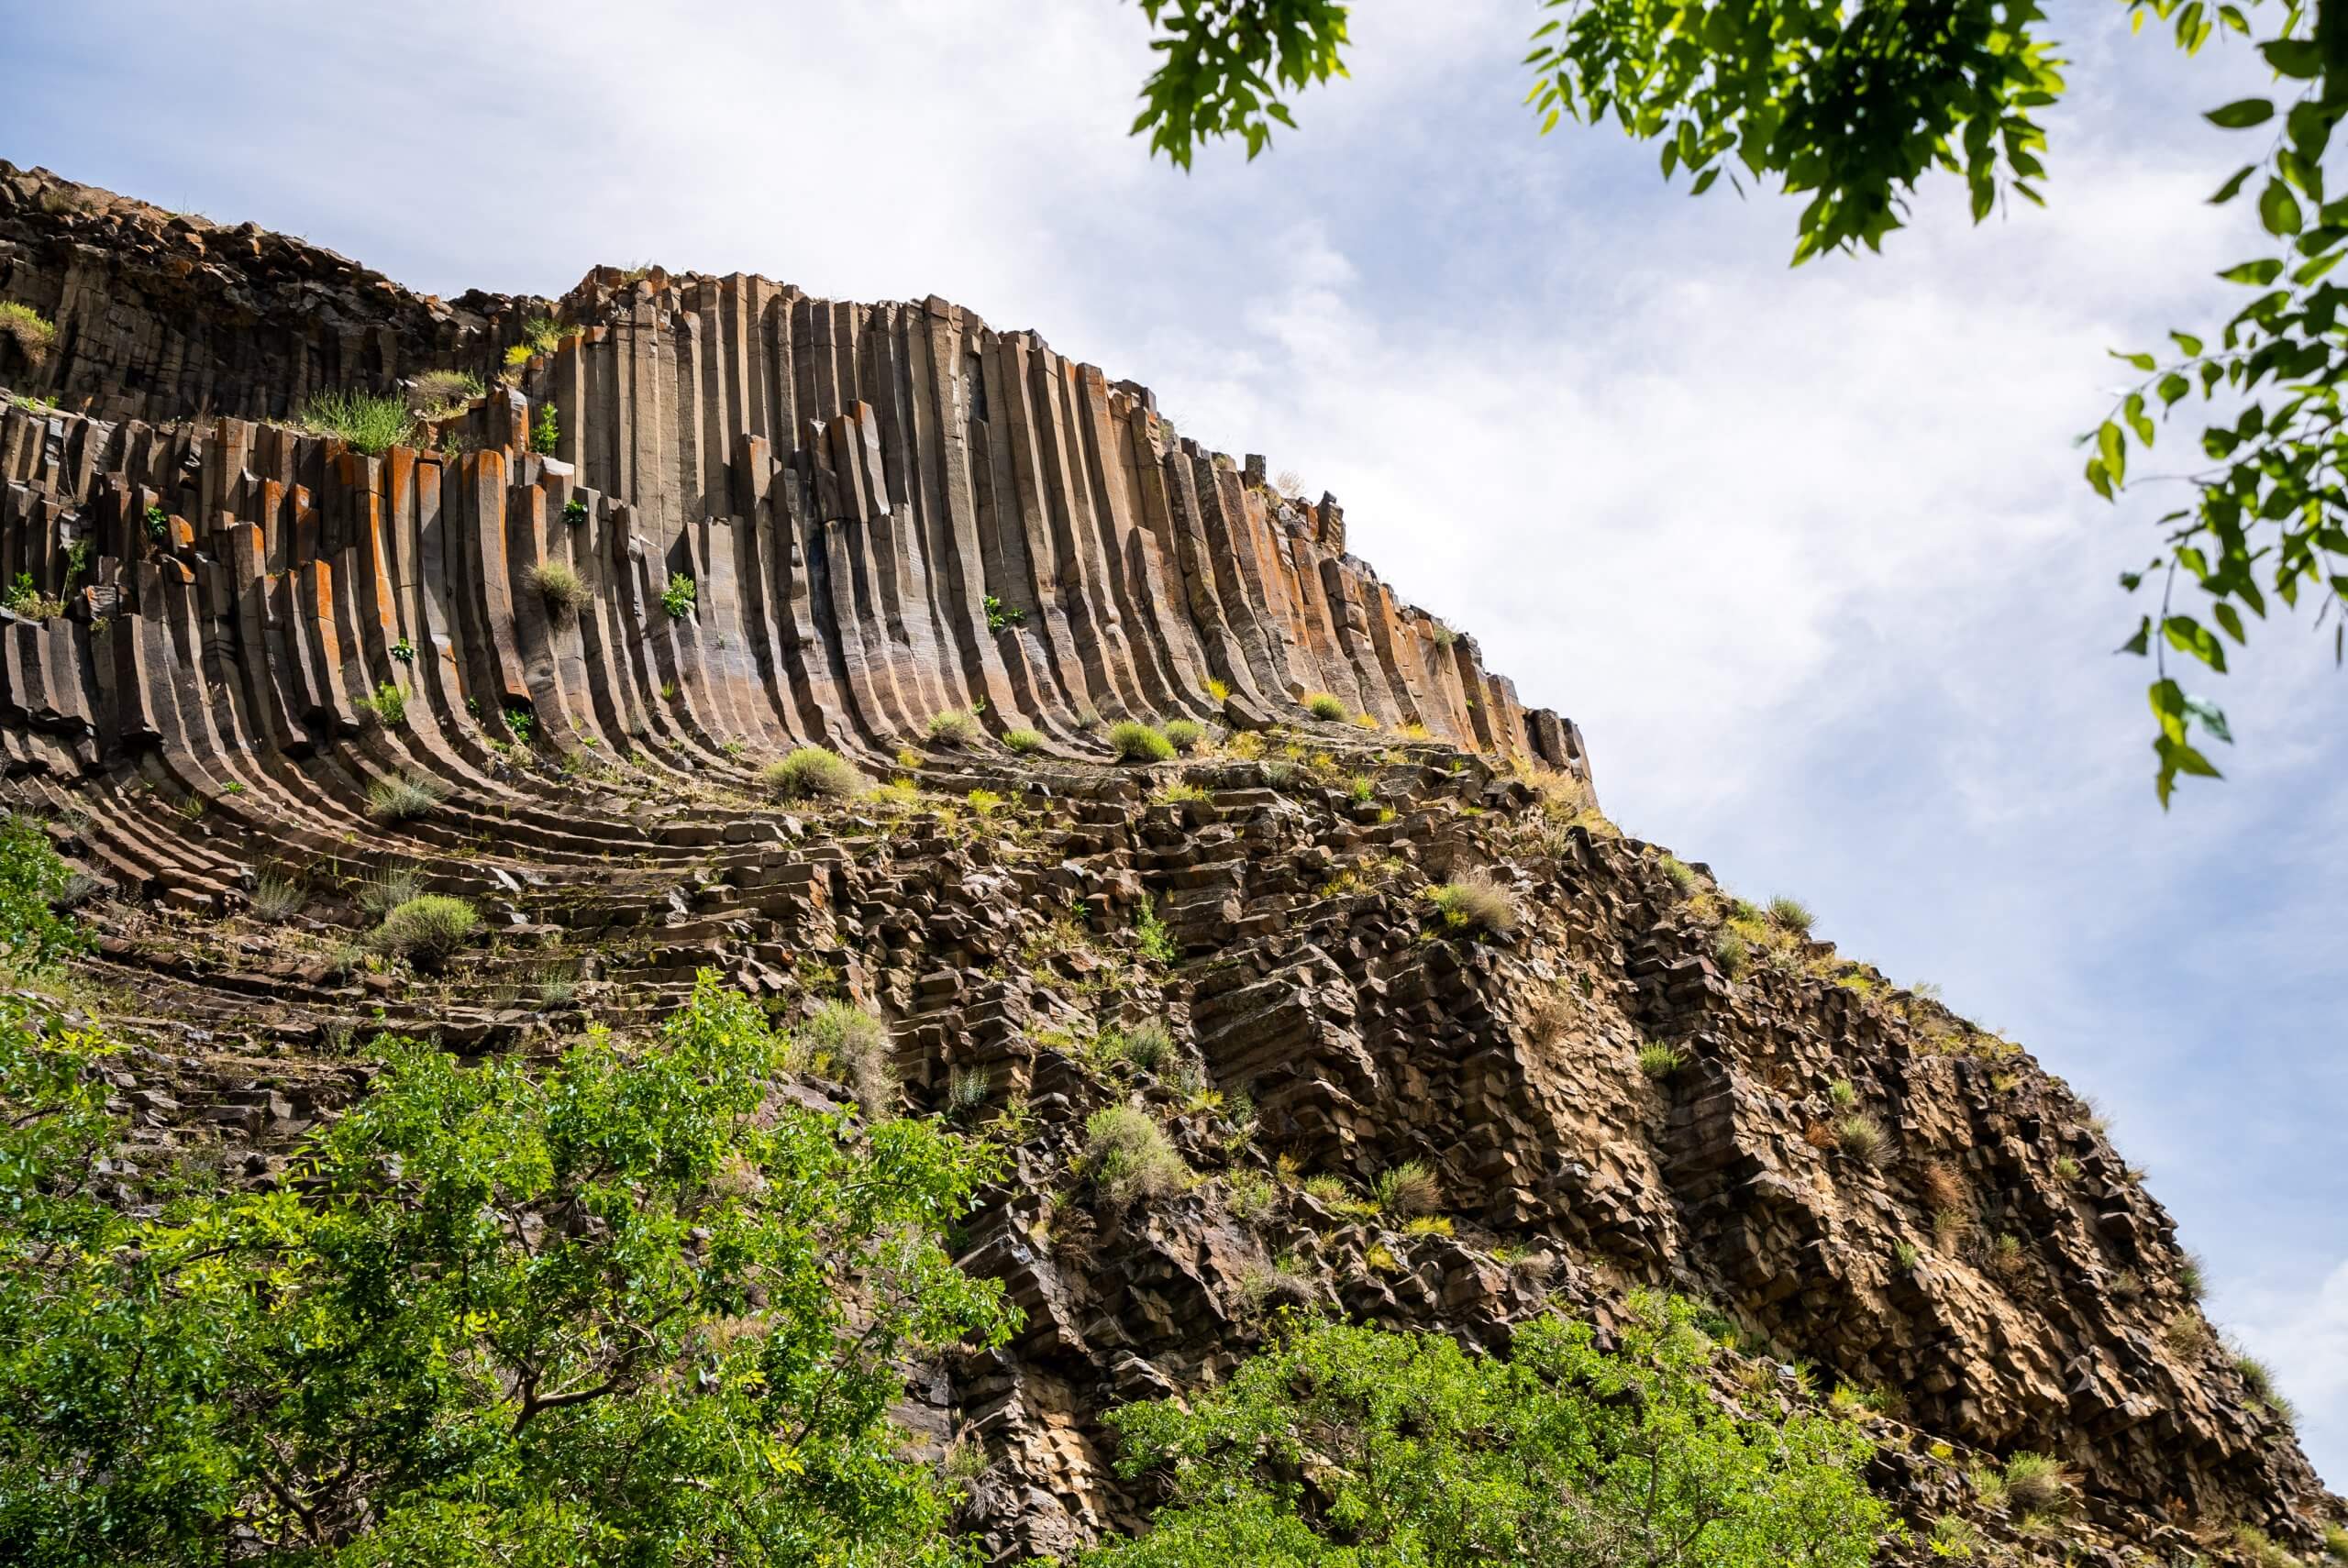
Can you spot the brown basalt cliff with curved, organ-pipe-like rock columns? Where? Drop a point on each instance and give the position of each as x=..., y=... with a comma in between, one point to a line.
x=891, y=513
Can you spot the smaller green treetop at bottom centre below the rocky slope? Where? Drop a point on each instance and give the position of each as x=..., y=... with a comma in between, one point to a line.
x=1372, y=1449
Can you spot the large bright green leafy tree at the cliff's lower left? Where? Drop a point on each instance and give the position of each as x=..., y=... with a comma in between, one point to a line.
x=497, y=1316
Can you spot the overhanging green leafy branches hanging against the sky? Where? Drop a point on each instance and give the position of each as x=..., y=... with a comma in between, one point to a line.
x=1854, y=104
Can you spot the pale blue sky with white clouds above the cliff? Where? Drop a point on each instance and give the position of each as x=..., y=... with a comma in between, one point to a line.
x=1802, y=550
